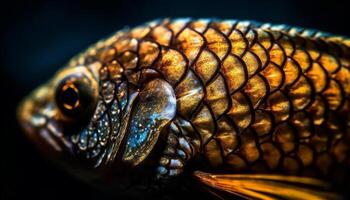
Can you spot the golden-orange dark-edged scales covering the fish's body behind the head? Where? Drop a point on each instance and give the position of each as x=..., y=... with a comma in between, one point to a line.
x=250, y=97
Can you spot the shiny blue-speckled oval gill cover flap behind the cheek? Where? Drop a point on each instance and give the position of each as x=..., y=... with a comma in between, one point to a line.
x=153, y=109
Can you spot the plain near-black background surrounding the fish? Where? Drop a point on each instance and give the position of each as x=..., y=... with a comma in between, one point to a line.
x=40, y=36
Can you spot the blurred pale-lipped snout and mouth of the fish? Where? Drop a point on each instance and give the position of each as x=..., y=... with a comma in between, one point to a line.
x=37, y=116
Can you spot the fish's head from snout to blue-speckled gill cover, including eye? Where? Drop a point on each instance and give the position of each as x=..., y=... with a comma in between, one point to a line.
x=94, y=122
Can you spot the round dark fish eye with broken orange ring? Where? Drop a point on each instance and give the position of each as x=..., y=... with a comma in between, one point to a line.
x=74, y=97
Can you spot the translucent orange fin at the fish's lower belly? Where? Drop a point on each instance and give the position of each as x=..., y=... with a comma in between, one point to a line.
x=269, y=187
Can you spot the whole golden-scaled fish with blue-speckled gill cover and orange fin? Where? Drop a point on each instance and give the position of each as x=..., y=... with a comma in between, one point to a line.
x=244, y=109
